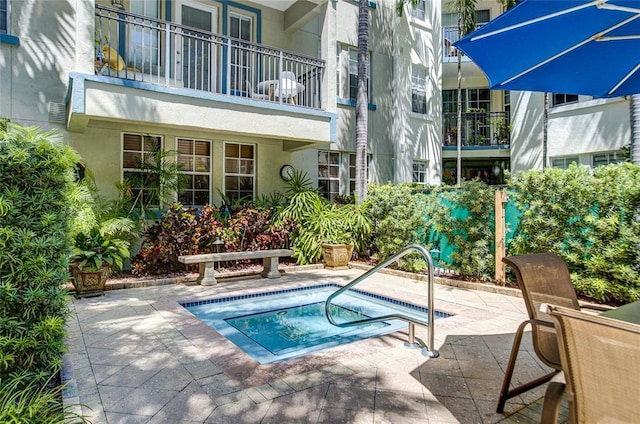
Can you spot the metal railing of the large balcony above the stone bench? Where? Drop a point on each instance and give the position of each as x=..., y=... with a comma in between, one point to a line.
x=145, y=49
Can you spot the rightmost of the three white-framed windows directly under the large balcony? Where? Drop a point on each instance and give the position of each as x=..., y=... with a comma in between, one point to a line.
x=239, y=170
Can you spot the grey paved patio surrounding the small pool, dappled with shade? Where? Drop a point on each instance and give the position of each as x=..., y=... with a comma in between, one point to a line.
x=137, y=356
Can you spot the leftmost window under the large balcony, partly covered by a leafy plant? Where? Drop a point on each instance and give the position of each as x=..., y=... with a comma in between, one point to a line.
x=139, y=154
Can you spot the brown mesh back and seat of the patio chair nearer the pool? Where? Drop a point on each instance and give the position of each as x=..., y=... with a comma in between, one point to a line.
x=544, y=278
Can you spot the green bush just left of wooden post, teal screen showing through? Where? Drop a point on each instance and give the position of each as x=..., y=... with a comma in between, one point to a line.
x=464, y=217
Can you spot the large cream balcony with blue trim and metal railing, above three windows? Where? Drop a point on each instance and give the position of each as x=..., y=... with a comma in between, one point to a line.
x=192, y=78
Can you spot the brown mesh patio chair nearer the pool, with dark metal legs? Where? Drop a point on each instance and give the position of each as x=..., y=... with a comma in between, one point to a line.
x=543, y=278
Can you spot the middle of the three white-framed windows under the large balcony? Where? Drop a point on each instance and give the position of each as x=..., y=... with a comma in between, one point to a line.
x=194, y=156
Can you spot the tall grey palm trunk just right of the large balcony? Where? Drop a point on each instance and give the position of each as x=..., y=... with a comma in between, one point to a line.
x=362, y=102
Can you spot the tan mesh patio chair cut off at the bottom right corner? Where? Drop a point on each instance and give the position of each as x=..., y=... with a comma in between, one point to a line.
x=601, y=368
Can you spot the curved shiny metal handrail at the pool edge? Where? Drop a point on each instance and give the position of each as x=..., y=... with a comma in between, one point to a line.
x=411, y=321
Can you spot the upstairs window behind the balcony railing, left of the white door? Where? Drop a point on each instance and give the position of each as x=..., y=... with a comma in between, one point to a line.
x=144, y=39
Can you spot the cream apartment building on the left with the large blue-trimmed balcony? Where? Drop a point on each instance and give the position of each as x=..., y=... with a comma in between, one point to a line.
x=235, y=90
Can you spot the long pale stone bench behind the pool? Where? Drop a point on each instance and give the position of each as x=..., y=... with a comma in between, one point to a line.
x=207, y=261
